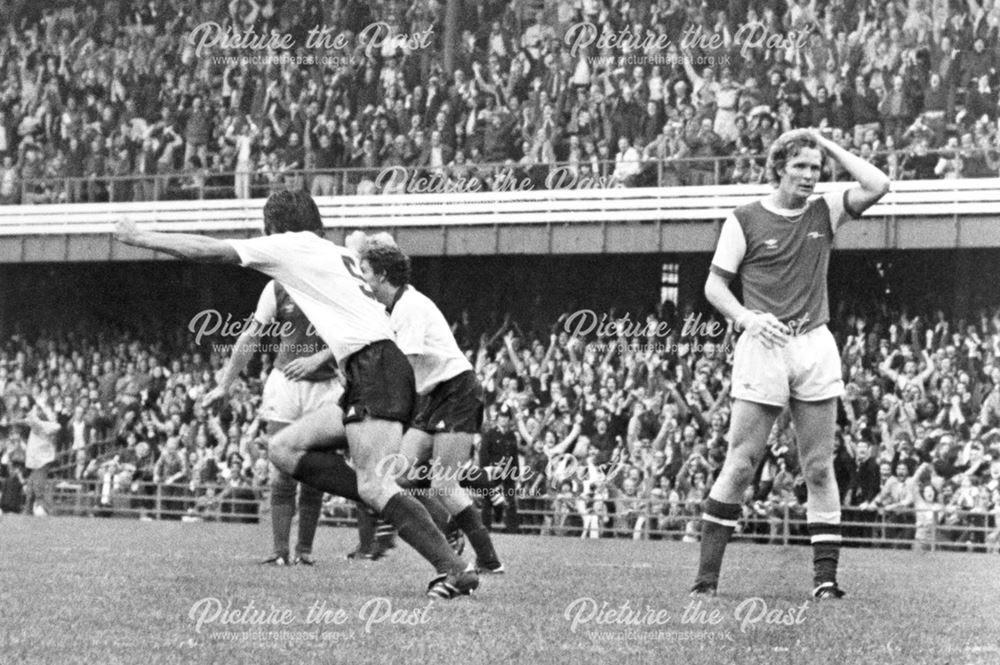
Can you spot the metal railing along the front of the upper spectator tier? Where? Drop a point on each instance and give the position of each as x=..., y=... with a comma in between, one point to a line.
x=468, y=177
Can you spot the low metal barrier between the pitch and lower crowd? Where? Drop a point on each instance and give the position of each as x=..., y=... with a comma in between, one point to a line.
x=543, y=515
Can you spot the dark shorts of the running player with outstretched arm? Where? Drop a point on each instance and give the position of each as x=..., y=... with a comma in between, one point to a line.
x=378, y=384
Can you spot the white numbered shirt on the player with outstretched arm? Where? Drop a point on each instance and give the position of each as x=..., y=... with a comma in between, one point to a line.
x=324, y=280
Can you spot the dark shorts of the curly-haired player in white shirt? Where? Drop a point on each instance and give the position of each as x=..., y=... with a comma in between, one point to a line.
x=455, y=405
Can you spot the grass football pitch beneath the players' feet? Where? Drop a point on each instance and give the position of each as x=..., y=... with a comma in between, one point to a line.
x=108, y=591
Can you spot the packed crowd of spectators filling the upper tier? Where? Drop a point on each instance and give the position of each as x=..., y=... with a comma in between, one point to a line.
x=653, y=92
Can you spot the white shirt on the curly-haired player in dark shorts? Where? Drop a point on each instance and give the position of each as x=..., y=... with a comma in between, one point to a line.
x=423, y=334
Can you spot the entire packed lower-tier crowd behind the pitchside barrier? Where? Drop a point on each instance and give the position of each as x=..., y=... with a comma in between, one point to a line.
x=621, y=435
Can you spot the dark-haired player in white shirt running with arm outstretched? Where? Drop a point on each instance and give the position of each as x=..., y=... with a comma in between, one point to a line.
x=324, y=280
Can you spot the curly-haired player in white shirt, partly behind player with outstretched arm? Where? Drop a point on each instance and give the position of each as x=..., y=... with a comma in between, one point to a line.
x=450, y=398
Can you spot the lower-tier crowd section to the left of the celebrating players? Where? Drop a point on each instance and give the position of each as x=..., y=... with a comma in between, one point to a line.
x=131, y=418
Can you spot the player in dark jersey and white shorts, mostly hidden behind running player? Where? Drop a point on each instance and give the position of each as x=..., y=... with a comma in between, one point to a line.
x=304, y=379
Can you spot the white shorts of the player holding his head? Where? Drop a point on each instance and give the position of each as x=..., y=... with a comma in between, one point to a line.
x=806, y=369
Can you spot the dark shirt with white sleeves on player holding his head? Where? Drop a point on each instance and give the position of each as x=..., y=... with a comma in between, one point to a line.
x=782, y=257
